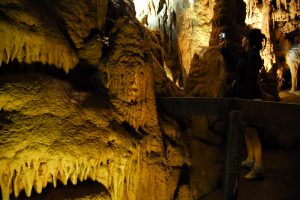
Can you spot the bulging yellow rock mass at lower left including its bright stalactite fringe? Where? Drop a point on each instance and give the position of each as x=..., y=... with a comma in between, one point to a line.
x=65, y=142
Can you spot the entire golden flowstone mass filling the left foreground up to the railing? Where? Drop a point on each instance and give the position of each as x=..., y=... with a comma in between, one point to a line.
x=78, y=88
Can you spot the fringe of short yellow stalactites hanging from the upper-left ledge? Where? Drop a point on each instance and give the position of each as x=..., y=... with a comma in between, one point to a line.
x=29, y=48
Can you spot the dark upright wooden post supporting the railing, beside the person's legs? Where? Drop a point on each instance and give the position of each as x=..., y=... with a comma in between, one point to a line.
x=234, y=143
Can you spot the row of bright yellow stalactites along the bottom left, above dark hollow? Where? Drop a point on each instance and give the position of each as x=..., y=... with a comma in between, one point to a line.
x=119, y=175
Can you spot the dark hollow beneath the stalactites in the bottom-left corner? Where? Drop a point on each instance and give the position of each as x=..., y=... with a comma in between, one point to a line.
x=83, y=190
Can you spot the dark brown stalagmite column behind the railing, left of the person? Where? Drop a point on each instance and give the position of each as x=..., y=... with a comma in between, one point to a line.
x=211, y=74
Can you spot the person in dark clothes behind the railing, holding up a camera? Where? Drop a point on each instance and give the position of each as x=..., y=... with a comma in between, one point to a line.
x=248, y=86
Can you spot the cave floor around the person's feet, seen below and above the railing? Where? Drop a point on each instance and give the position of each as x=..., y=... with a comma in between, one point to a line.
x=282, y=170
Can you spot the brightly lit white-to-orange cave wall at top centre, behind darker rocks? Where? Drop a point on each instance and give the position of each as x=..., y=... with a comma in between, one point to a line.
x=185, y=27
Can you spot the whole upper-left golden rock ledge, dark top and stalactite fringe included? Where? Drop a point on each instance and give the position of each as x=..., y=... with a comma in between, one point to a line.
x=20, y=41
